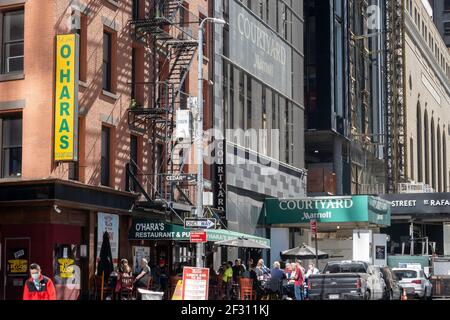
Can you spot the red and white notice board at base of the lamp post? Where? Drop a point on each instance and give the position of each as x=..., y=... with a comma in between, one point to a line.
x=195, y=283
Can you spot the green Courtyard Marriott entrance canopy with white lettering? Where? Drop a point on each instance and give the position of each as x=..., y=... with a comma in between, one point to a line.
x=328, y=209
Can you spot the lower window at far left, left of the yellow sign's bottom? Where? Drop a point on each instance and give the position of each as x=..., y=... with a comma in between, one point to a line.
x=11, y=146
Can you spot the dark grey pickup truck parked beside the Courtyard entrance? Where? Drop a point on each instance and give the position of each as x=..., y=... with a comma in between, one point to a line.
x=347, y=280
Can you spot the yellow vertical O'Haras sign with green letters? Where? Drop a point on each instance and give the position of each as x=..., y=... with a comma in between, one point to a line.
x=66, y=98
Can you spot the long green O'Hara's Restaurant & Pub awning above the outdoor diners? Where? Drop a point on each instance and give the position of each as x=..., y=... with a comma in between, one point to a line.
x=147, y=229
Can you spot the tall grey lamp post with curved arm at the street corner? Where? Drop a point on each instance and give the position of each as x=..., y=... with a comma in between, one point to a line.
x=199, y=135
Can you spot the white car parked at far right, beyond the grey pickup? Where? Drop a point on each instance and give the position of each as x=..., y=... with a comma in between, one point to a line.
x=414, y=282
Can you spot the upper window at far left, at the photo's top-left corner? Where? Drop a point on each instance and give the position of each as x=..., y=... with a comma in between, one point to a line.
x=12, y=41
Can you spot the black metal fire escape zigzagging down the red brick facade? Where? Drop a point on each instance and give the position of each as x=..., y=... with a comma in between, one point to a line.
x=168, y=31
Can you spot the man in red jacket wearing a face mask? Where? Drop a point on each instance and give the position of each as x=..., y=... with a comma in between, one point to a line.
x=38, y=287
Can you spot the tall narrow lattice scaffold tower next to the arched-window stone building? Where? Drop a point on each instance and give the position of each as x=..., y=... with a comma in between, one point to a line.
x=396, y=153
